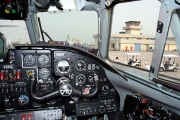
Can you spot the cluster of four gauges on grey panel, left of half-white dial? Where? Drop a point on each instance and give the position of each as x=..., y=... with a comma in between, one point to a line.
x=40, y=61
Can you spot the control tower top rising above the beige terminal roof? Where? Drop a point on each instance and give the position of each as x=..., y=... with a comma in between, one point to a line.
x=132, y=27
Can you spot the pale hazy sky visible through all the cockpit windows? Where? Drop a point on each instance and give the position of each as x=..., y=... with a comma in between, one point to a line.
x=84, y=25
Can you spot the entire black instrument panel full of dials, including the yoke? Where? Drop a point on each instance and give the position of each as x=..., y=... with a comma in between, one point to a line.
x=49, y=77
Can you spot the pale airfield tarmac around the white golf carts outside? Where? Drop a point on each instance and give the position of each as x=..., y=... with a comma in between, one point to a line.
x=147, y=57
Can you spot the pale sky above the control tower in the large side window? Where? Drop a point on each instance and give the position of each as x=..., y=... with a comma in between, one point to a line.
x=145, y=11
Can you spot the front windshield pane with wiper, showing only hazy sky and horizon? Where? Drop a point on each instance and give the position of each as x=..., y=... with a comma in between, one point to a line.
x=72, y=27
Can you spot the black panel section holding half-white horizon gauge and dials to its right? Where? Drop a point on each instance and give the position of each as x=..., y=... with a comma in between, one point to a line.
x=75, y=66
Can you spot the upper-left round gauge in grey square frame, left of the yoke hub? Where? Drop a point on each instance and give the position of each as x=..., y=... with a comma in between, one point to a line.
x=29, y=59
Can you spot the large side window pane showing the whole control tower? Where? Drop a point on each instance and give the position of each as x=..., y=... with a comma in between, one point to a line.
x=133, y=32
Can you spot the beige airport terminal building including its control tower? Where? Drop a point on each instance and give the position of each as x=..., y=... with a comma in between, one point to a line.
x=133, y=40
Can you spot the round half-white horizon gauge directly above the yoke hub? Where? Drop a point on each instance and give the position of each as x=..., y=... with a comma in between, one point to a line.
x=63, y=66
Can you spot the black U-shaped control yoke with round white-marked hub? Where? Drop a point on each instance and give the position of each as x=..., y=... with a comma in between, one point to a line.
x=64, y=89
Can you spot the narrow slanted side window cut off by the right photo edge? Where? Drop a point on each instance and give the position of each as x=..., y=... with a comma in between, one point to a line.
x=170, y=62
